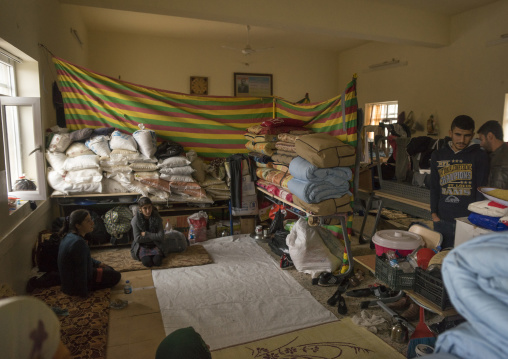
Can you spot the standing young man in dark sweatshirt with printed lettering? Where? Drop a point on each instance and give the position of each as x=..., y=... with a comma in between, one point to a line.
x=457, y=170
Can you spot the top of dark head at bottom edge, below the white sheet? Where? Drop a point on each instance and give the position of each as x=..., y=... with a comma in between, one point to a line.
x=183, y=343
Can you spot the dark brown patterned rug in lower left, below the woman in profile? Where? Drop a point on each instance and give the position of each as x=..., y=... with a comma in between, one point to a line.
x=85, y=328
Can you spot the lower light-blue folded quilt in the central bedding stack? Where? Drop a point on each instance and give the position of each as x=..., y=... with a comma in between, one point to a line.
x=315, y=192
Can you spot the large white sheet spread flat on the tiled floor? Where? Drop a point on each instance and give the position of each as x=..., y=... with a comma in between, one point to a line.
x=242, y=296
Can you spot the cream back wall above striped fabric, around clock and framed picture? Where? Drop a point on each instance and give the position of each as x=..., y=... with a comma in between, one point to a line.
x=167, y=63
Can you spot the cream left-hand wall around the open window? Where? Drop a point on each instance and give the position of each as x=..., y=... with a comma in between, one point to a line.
x=23, y=25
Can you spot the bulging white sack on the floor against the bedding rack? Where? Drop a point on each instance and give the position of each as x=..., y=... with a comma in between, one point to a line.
x=308, y=251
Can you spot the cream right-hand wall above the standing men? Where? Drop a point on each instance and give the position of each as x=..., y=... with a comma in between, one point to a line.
x=467, y=77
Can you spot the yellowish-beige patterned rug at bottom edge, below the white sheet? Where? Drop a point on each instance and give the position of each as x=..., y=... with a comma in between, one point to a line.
x=341, y=339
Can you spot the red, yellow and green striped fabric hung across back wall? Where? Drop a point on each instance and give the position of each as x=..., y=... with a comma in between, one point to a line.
x=211, y=125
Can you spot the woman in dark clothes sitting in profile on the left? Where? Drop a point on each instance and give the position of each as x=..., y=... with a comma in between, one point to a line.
x=79, y=272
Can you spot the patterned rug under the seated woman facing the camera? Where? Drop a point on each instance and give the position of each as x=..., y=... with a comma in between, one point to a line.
x=121, y=260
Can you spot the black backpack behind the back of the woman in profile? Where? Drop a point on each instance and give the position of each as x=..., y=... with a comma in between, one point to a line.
x=45, y=251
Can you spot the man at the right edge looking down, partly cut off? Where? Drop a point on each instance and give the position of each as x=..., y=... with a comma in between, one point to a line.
x=491, y=137
